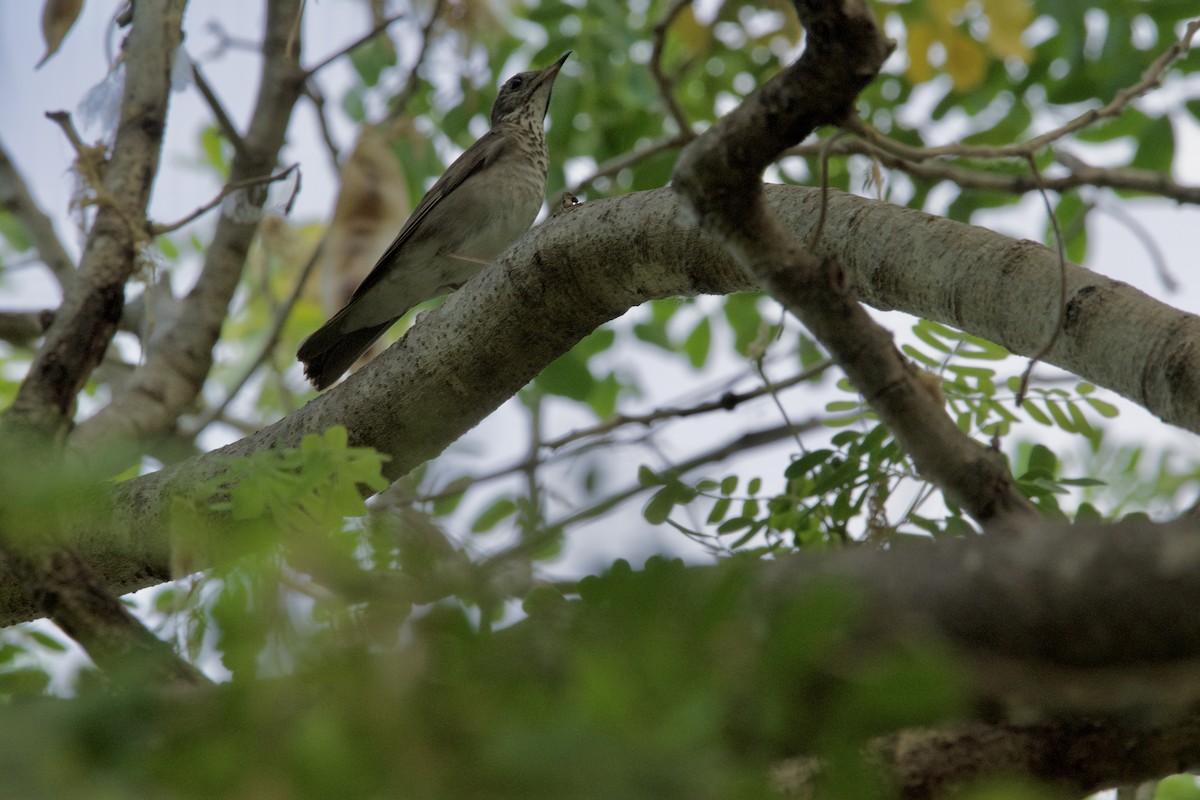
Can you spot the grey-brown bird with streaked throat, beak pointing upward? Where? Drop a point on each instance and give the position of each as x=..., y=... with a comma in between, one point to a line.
x=483, y=204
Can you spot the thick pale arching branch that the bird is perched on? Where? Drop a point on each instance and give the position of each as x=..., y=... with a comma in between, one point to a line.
x=553, y=288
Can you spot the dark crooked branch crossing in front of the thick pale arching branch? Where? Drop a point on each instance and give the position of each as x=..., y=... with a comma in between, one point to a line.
x=718, y=178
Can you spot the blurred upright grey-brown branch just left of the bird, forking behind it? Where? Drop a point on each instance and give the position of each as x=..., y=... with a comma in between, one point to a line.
x=181, y=359
